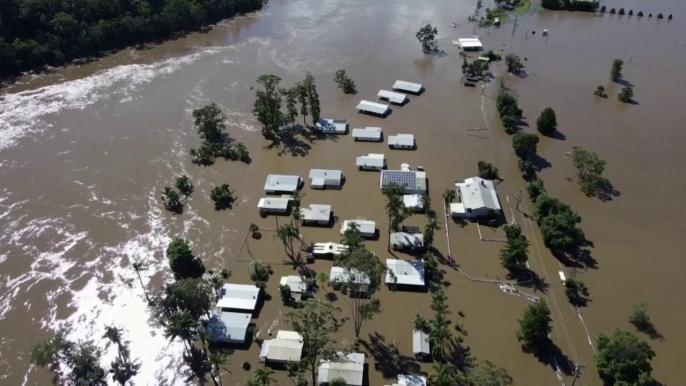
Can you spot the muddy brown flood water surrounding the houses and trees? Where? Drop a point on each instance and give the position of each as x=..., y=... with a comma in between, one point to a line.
x=85, y=151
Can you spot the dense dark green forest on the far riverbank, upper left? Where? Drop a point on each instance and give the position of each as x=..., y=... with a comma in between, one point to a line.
x=36, y=33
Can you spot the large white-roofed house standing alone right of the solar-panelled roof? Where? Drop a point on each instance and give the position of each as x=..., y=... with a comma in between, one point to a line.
x=477, y=199
